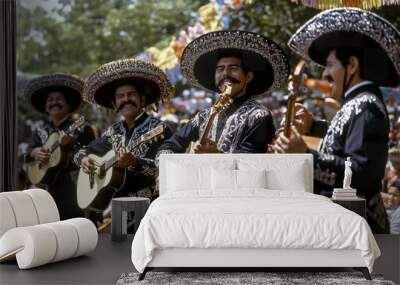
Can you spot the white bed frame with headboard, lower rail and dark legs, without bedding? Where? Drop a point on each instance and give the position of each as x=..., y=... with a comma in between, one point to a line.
x=246, y=259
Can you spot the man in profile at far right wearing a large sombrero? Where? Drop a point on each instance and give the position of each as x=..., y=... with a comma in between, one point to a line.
x=360, y=52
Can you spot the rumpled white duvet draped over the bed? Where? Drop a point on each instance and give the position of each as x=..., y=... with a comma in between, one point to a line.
x=250, y=219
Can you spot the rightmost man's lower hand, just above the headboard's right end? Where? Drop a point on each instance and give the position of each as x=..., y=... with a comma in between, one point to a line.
x=295, y=144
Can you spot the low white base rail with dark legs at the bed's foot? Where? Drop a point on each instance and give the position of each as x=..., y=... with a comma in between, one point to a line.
x=255, y=260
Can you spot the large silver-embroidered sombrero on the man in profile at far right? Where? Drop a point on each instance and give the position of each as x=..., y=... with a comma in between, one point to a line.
x=353, y=28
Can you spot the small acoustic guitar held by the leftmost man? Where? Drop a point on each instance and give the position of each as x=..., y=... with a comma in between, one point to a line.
x=46, y=173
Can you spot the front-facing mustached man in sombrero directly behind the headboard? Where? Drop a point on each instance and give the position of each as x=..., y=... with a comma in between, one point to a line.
x=251, y=64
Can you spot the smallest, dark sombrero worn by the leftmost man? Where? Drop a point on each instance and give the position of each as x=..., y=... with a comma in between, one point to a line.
x=38, y=89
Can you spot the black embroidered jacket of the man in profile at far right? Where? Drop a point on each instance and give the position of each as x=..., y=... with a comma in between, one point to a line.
x=360, y=130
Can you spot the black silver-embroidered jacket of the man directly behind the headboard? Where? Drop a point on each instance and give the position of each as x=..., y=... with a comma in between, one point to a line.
x=245, y=126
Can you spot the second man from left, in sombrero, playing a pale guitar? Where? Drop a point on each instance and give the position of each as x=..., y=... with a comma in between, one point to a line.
x=127, y=86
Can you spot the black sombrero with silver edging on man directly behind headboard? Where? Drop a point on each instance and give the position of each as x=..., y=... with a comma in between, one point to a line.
x=260, y=55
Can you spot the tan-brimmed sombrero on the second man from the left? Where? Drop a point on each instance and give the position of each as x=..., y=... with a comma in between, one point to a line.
x=150, y=81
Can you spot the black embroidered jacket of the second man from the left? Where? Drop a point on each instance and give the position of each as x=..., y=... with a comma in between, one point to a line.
x=143, y=173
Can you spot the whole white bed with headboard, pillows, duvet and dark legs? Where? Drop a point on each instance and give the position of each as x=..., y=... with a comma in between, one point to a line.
x=247, y=210
